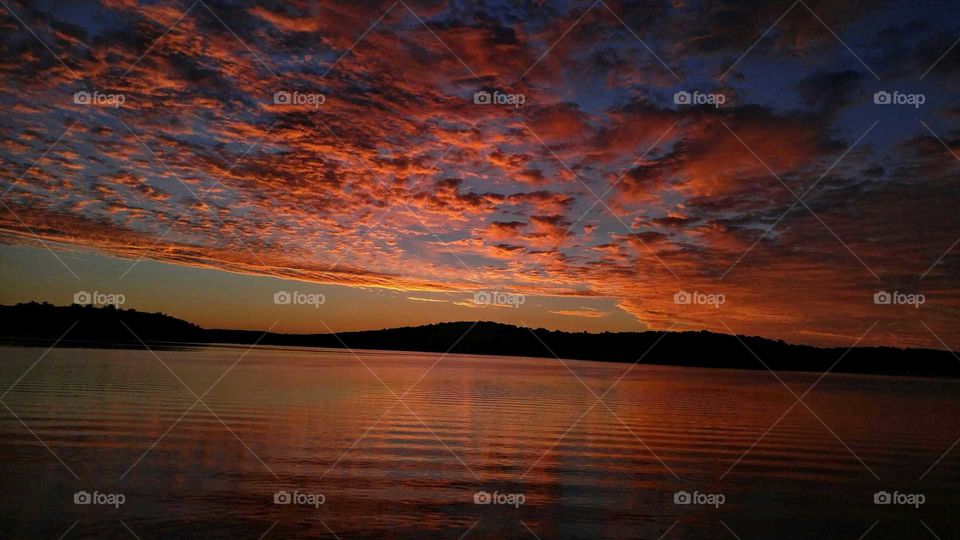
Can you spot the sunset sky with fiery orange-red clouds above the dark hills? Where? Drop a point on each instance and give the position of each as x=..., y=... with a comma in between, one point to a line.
x=770, y=168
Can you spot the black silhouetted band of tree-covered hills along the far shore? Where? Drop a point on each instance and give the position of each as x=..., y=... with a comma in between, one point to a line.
x=46, y=322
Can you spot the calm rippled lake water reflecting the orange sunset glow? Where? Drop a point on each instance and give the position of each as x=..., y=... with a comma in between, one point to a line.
x=320, y=422
